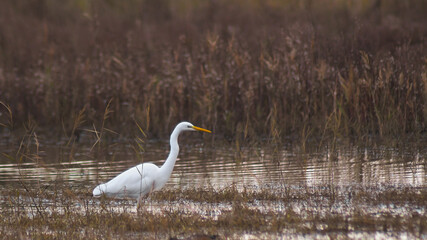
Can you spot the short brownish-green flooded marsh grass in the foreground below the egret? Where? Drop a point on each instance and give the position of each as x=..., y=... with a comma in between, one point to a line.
x=305, y=210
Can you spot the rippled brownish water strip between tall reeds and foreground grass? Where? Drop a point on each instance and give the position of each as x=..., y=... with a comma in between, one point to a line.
x=202, y=165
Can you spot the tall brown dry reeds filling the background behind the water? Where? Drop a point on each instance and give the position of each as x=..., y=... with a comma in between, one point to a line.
x=244, y=69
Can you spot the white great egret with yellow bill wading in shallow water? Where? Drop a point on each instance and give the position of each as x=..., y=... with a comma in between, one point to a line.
x=147, y=177
